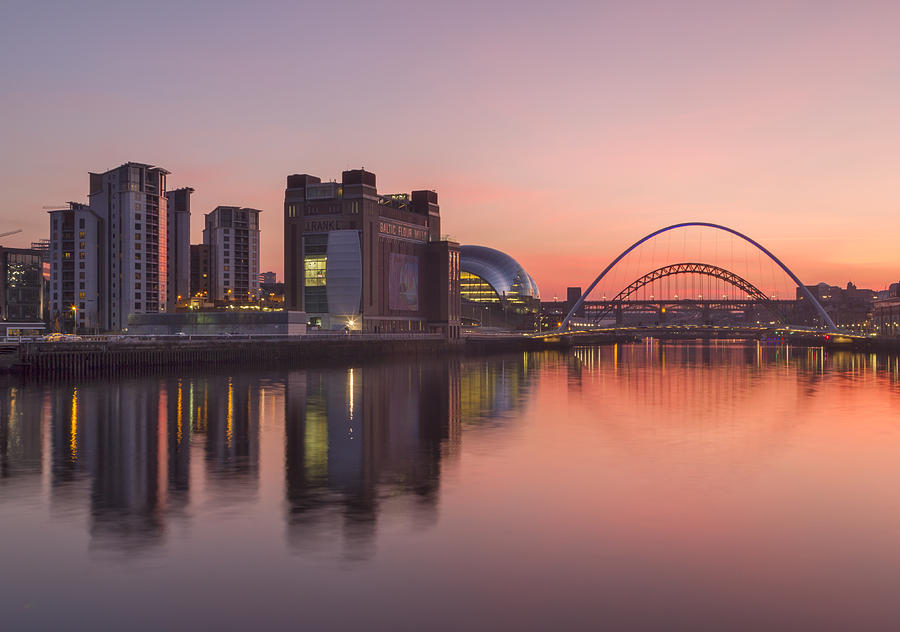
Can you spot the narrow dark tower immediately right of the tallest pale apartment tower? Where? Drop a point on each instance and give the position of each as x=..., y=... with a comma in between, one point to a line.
x=178, y=224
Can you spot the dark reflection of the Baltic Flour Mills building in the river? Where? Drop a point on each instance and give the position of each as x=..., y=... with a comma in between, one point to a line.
x=357, y=437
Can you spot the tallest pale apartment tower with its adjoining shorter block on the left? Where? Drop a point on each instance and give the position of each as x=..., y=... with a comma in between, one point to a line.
x=123, y=249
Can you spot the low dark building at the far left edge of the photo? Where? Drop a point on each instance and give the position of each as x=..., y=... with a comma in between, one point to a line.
x=21, y=285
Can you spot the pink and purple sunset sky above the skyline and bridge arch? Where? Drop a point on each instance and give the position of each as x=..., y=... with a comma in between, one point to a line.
x=558, y=132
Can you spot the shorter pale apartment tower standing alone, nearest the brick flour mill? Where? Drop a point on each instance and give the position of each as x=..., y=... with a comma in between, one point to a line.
x=232, y=233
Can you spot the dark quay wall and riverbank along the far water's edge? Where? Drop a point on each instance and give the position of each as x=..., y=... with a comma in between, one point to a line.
x=139, y=356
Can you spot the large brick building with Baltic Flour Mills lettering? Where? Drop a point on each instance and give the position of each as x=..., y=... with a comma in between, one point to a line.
x=355, y=259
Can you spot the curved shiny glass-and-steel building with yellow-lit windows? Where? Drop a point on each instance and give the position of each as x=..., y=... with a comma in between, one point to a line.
x=496, y=291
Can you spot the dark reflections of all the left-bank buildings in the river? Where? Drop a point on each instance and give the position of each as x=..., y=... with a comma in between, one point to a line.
x=132, y=454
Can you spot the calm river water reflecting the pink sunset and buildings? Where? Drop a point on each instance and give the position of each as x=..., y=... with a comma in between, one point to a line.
x=642, y=487
